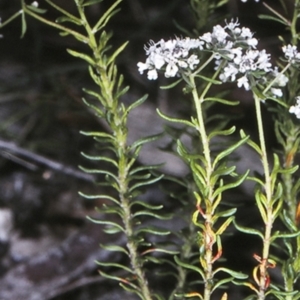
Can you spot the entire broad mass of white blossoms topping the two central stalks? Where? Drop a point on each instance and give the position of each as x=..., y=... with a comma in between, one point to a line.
x=232, y=46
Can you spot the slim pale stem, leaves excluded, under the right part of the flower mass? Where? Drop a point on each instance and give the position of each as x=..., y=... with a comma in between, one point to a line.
x=267, y=203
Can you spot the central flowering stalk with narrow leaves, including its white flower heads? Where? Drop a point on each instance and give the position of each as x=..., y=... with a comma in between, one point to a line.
x=187, y=59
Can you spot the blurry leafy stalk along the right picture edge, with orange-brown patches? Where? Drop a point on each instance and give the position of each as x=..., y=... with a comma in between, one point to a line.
x=288, y=135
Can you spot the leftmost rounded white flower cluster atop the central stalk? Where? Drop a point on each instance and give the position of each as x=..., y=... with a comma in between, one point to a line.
x=171, y=55
